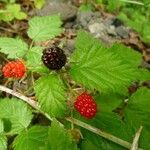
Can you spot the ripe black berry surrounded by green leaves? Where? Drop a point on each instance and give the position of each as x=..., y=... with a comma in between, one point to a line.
x=54, y=58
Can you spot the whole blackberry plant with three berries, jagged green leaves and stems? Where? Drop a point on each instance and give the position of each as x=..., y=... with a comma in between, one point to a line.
x=85, y=105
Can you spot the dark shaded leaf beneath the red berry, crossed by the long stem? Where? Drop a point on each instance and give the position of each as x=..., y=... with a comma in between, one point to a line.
x=110, y=123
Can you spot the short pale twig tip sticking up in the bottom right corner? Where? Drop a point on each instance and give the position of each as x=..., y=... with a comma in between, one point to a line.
x=134, y=145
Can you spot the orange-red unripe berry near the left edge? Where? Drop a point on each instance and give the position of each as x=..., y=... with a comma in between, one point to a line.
x=14, y=69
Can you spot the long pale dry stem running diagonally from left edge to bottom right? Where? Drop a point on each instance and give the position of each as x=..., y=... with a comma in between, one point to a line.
x=97, y=131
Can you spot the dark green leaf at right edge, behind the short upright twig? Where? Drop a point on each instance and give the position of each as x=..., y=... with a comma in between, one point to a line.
x=137, y=113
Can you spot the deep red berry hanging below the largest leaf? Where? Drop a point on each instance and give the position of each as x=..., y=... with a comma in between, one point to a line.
x=86, y=105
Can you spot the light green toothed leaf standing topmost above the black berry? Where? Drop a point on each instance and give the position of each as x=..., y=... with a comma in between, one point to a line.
x=44, y=28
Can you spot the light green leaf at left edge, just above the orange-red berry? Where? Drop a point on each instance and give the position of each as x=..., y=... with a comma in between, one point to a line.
x=13, y=47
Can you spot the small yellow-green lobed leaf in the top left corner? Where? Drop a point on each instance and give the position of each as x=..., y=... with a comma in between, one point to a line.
x=12, y=11
